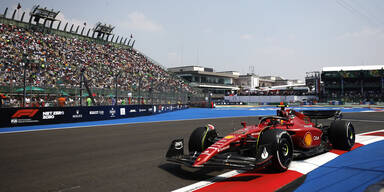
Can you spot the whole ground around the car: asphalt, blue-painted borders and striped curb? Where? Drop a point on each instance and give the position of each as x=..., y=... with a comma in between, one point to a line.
x=129, y=155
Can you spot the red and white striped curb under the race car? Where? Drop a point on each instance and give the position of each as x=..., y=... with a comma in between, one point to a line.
x=251, y=181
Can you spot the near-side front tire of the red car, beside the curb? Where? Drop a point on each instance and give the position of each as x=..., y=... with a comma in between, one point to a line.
x=282, y=148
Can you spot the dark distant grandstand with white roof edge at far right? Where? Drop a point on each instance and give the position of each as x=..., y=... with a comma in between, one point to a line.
x=353, y=83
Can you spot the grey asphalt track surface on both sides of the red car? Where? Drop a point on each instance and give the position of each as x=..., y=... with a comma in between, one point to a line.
x=115, y=158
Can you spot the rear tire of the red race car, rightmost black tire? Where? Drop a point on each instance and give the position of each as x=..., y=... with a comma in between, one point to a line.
x=342, y=135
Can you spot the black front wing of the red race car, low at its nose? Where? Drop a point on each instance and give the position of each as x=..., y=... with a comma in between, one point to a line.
x=228, y=160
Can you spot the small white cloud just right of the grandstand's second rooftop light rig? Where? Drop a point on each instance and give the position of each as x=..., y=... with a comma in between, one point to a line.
x=139, y=22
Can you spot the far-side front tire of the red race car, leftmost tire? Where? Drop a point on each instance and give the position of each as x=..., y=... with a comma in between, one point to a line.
x=201, y=138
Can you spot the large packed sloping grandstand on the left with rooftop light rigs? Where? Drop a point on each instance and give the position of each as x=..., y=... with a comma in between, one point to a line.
x=42, y=63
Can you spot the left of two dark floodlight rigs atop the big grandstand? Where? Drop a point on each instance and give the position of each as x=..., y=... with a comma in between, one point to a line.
x=43, y=13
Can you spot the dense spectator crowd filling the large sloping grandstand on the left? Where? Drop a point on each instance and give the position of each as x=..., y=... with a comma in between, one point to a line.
x=53, y=60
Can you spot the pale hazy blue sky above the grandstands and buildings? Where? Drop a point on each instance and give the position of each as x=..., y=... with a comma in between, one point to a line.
x=267, y=37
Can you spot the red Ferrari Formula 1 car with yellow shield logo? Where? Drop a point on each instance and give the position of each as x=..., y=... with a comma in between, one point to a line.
x=273, y=143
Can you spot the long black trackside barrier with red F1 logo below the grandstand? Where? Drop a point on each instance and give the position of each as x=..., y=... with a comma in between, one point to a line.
x=11, y=117
